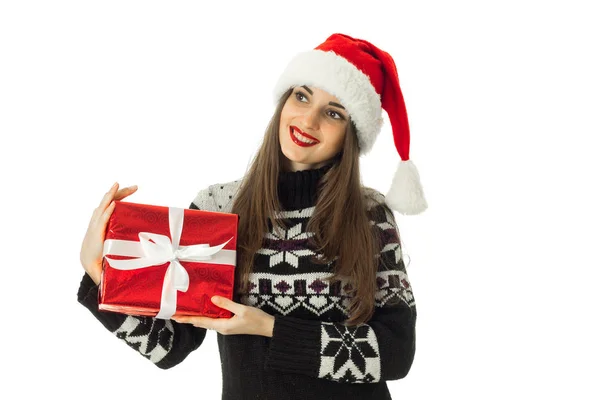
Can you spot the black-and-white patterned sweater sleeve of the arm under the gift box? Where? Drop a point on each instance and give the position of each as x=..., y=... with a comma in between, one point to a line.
x=164, y=342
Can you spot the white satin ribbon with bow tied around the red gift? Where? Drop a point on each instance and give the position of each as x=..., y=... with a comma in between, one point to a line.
x=164, y=250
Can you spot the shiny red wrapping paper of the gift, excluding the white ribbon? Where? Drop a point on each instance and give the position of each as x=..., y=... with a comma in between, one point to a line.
x=138, y=291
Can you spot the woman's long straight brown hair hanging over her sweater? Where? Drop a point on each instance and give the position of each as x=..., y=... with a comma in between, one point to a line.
x=341, y=207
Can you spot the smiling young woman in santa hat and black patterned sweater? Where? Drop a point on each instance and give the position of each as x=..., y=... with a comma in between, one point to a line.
x=323, y=307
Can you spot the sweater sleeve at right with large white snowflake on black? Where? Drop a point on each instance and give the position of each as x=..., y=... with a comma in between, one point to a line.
x=381, y=349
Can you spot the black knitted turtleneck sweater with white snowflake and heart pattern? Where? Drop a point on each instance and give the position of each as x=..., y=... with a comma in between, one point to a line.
x=312, y=354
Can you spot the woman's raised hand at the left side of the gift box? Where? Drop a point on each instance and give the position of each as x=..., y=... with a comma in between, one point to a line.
x=93, y=242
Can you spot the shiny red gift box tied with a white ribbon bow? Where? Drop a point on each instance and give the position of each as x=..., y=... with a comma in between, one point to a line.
x=164, y=261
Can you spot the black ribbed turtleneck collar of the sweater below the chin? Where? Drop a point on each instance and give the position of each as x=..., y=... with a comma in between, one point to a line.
x=298, y=189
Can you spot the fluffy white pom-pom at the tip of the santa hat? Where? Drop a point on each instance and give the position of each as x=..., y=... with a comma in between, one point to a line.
x=406, y=193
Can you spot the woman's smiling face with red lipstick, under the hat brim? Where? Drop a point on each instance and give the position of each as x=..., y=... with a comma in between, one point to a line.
x=312, y=128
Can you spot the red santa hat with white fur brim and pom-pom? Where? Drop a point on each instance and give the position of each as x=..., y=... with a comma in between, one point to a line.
x=364, y=78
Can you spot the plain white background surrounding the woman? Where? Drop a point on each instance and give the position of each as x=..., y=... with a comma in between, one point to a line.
x=503, y=104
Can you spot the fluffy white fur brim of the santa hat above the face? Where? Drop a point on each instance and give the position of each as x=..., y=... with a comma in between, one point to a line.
x=336, y=75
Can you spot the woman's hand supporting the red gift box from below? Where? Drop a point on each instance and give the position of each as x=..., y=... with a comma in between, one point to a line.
x=246, y=320
